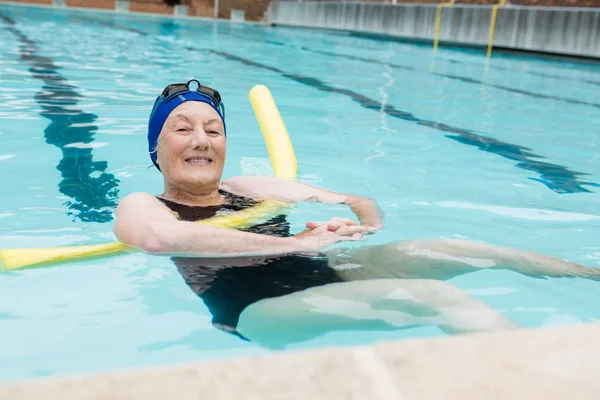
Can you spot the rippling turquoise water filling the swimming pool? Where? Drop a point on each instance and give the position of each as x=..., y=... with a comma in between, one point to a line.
x=506, y=154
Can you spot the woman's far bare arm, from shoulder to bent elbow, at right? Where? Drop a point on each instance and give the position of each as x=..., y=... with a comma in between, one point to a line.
x=366, y=210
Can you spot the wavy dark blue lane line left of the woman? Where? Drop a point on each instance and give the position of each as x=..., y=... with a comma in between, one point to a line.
x=93, y=199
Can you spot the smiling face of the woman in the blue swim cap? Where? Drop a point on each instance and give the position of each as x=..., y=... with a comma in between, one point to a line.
x=191, y=146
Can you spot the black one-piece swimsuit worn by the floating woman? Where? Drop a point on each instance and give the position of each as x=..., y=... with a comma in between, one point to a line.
x=228, y=290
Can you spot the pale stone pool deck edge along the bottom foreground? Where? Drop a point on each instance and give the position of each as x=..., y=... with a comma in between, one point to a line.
x=547, y=363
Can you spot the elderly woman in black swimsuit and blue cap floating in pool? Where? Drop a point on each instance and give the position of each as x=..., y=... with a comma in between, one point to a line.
x=274, y=287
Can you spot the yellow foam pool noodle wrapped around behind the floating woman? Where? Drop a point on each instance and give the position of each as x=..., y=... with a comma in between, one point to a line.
x=283, y=161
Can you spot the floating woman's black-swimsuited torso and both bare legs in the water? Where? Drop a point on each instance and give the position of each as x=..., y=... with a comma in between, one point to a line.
x=280, y=299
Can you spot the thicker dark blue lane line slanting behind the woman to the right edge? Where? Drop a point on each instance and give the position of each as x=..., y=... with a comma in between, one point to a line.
x=556, y=177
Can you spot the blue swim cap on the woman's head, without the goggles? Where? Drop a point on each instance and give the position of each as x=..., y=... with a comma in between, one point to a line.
x=162, y=109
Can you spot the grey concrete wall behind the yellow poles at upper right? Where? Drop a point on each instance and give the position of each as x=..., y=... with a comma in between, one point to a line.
x=569, y=31
